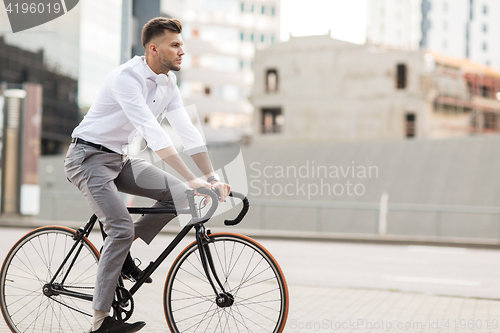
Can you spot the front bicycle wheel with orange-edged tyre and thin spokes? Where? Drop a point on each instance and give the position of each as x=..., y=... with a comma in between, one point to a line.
x=247, y=271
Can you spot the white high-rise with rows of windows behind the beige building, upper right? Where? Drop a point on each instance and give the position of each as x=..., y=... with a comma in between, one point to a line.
x=458, y=28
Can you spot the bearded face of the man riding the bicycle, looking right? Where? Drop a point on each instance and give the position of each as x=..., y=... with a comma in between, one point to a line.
x=170, y=51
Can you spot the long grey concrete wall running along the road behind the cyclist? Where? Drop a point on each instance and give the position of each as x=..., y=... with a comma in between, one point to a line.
x=440, y=188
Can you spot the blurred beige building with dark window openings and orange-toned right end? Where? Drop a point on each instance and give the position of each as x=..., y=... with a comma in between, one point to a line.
x=316, y=89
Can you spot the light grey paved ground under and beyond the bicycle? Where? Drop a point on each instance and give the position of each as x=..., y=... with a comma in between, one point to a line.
x=345, y=287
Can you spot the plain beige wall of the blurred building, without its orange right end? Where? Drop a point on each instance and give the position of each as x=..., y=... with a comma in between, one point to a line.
x=330, y=90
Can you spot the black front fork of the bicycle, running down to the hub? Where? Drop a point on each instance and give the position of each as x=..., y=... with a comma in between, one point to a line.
x=223, y=298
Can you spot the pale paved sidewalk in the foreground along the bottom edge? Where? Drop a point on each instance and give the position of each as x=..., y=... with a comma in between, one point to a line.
x=355, y=310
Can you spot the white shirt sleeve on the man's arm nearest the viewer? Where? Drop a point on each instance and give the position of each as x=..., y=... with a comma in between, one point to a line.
x=126, y=88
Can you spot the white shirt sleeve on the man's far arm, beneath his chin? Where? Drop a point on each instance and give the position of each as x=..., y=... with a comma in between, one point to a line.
x=178, y=117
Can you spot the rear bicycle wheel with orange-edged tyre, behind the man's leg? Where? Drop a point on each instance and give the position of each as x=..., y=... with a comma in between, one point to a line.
x=30, y=265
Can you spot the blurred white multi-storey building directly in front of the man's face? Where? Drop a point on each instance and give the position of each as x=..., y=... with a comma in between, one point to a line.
x=221, y=37
